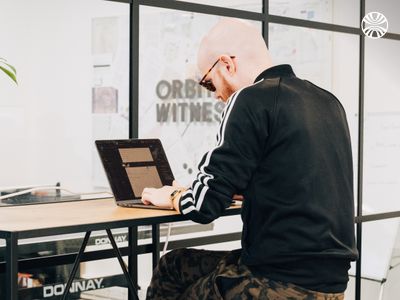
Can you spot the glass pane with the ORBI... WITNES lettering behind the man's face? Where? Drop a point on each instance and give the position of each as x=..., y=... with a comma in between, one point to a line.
x=172, y=106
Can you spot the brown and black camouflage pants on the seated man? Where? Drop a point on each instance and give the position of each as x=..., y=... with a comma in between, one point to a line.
x=191, y=274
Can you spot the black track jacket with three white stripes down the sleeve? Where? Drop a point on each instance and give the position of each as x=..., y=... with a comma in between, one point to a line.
x=284, y=144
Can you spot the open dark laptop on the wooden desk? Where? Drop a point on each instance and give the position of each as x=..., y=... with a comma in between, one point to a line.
x=131, y=165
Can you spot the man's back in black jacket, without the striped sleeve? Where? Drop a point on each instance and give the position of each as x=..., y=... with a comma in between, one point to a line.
x=298, y=209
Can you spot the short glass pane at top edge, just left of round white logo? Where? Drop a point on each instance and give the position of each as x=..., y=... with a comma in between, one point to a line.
x=341, y=12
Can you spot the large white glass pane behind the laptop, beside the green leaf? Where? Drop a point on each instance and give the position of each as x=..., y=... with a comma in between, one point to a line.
x=72, y=62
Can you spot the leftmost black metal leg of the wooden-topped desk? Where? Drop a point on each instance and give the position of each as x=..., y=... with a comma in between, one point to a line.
x=12, y=267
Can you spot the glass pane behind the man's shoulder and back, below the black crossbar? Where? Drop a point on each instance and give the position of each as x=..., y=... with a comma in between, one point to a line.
x=327, y=59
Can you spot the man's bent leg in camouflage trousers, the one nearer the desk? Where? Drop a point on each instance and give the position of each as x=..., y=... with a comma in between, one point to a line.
x=179, y=269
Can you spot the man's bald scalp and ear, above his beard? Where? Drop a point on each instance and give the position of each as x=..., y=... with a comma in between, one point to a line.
x=233, y=37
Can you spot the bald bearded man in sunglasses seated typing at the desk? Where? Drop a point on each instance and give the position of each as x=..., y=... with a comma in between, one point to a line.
x=284, y=144
